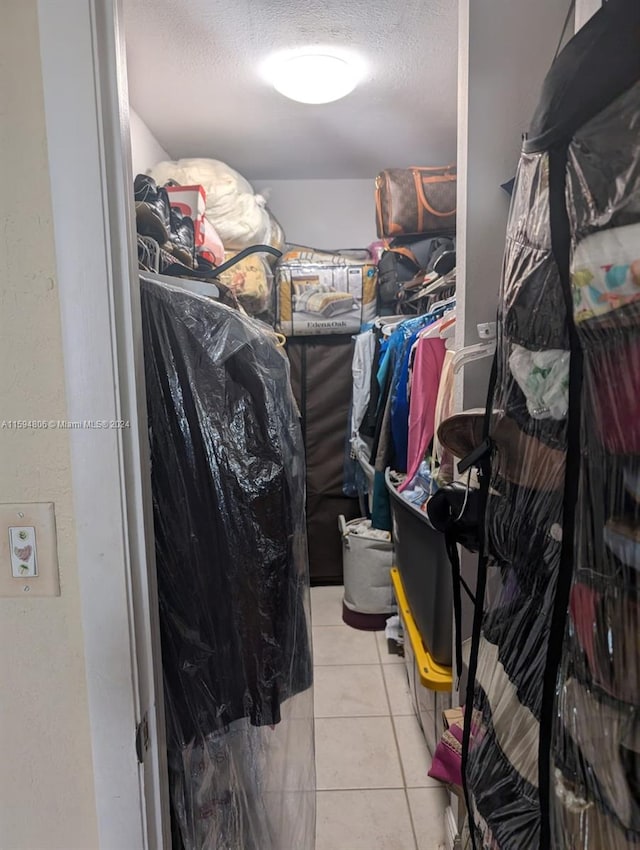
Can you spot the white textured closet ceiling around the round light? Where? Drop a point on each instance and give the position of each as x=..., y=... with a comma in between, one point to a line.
x=194, y=78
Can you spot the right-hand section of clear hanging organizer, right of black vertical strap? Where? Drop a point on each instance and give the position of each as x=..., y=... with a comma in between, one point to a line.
x=595, y=758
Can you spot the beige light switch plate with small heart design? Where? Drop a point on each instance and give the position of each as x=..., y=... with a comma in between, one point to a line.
x=28, y=529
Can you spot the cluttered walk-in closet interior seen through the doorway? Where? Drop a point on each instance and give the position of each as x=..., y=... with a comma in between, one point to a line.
x=391, y=613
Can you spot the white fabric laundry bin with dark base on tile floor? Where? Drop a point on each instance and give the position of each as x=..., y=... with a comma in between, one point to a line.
x=367, y=558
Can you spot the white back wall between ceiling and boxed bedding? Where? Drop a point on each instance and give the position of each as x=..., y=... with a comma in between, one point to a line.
x=323, y=213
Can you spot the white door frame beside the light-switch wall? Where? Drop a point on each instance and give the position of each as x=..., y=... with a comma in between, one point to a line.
x=87, y=119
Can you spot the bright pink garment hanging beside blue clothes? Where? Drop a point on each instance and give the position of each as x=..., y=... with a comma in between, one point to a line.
x=427, y=368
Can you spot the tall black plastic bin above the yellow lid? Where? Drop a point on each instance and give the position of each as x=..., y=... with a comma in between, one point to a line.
x=424, y=566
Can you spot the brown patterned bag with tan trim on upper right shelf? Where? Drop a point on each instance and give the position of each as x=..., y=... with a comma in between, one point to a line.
x=414, y=201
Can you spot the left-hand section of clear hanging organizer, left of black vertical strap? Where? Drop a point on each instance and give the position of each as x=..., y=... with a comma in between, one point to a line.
x=523, y=530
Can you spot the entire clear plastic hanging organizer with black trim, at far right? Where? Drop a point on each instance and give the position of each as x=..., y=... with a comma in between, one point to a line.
x=553, y=757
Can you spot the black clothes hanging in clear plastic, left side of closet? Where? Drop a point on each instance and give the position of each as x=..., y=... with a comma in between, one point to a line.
x=233, y=584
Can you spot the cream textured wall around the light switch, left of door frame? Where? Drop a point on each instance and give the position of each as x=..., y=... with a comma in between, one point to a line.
x=46, y=775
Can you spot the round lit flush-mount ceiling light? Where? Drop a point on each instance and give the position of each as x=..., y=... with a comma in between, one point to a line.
x=313, y=75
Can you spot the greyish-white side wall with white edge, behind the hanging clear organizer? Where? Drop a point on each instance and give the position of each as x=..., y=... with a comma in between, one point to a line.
x=505, y=50
